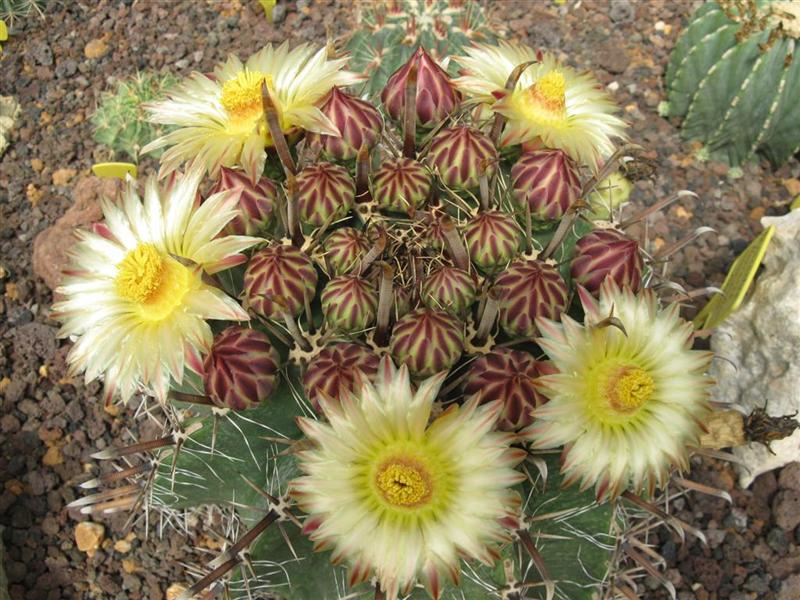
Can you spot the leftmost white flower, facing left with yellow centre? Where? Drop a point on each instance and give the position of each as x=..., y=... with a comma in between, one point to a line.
x=134, y=294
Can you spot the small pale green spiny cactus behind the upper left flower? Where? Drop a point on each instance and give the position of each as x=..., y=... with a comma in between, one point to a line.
x=119, y=121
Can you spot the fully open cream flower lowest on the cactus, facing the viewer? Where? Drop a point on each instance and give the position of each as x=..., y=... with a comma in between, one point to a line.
x=402, y=500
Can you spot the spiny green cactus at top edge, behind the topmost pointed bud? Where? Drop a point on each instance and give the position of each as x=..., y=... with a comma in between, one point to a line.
x=390, y=30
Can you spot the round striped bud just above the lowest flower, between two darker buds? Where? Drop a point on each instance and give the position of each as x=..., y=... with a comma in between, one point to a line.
x=427, y=341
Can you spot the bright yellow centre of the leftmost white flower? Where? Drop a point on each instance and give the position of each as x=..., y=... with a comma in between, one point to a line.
x=155, y=282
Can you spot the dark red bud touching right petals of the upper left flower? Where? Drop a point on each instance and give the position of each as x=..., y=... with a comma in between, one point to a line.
x=359, y=124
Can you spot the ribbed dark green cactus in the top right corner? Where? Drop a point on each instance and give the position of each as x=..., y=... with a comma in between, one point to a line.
x=734, y=81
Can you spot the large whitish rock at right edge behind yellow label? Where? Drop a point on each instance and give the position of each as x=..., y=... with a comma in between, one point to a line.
x=758, y=349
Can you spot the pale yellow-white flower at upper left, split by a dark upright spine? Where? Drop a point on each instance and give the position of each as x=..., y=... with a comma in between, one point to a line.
x=220, y=118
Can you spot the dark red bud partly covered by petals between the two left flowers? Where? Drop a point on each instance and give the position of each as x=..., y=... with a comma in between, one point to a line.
x=256, y=201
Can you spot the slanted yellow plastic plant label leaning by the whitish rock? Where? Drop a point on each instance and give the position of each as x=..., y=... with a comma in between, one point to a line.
x=736, y=283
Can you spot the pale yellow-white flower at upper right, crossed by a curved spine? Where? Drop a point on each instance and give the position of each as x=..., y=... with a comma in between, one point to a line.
x=552, y=104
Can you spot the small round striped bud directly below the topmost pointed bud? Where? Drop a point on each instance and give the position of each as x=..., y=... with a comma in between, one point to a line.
x=401, y=184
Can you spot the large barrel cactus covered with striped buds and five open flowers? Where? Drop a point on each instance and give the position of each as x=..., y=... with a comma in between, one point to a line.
x=426, y=355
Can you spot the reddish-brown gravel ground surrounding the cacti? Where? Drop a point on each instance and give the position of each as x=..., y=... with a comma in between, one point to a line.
x=51, y=423
